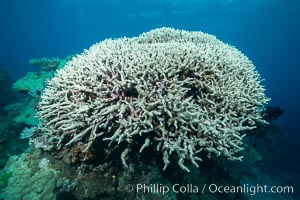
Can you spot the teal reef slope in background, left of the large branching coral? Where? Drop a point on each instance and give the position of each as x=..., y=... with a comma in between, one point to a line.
x=15, y=113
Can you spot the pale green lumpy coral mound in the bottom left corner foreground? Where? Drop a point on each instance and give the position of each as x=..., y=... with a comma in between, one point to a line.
x=28, y=183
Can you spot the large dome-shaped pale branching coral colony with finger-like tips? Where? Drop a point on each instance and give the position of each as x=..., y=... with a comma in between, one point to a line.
x=183, y=94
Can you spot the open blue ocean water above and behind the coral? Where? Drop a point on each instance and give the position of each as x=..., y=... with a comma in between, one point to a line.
x=267, y=31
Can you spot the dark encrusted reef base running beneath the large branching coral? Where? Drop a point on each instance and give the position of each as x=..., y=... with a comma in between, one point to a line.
x=38, y=175
